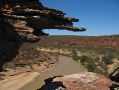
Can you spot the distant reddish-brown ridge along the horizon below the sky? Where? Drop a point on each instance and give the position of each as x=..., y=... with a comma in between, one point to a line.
x=111, y=41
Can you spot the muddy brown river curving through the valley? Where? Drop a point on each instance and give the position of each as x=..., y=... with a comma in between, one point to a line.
x=65, y=66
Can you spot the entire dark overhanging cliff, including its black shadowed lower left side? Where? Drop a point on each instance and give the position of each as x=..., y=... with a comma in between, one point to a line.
x=24, y=20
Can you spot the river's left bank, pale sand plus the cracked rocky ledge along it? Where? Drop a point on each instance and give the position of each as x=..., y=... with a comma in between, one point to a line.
x=22, y=76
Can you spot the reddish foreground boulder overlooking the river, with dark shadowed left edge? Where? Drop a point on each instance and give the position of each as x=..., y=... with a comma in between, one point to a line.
x=84, y=81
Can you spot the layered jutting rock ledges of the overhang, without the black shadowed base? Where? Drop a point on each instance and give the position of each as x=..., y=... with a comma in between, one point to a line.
x=31, y=17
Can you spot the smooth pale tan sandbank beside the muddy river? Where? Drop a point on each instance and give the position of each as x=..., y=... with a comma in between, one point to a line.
x=19, y=81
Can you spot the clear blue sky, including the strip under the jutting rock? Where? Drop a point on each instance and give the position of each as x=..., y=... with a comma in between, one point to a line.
x=99, y=17
